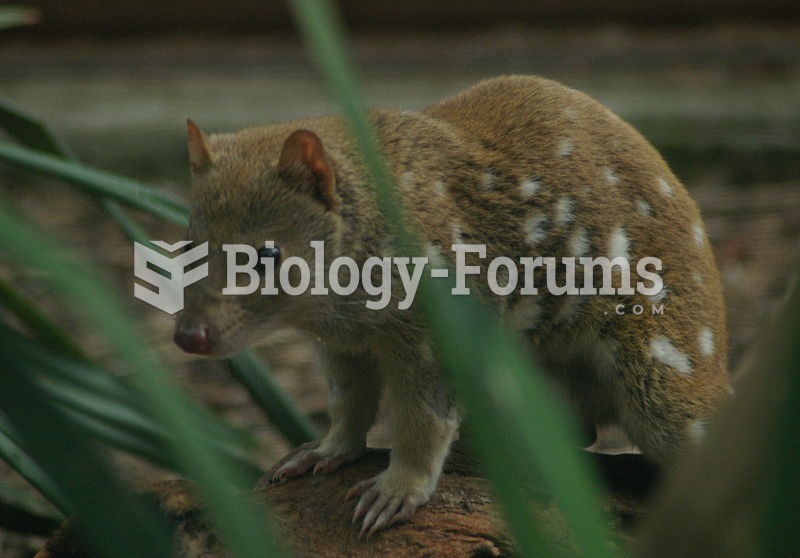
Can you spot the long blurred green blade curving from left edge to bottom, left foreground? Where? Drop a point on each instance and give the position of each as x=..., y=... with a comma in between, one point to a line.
x=242, y=526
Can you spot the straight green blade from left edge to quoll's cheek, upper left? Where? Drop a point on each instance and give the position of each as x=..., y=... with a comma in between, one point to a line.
x=101, y=183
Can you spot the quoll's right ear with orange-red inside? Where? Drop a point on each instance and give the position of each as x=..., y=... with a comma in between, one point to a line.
x=303, y=155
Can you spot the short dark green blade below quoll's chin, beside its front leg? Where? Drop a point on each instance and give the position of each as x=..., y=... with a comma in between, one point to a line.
x=252, y=373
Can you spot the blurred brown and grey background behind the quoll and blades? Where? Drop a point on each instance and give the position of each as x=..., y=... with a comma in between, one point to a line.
x=714, y=85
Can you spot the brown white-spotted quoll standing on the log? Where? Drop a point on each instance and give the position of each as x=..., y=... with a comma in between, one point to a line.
x=522, y=165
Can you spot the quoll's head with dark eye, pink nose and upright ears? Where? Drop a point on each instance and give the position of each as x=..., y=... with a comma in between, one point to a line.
x=249, y=188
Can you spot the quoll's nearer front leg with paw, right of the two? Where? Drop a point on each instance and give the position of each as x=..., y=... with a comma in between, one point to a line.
x=423, y=426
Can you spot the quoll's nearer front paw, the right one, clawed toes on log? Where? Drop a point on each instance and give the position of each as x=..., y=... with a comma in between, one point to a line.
x=386, y=500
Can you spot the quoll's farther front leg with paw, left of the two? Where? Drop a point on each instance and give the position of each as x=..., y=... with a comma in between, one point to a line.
x=355, y=390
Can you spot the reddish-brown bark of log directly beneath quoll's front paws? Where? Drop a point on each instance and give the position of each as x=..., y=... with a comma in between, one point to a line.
x=460, y=520
